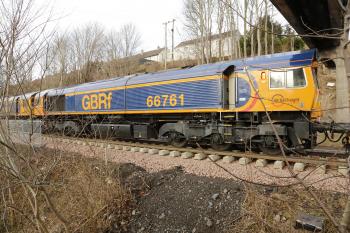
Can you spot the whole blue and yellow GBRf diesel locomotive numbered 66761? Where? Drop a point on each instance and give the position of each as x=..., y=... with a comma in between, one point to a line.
x=221, y=104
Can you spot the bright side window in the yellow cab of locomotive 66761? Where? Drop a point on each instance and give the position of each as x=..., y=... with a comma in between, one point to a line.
x=292, y=78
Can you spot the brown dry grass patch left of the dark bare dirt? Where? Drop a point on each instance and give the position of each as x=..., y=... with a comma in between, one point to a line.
x=82, y=190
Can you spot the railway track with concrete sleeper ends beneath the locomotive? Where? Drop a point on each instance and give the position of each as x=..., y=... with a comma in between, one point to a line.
x=311, y=160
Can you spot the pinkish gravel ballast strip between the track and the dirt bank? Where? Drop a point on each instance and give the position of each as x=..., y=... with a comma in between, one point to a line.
x=332, y=181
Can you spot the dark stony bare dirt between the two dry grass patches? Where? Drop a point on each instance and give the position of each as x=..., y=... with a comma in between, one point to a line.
x=180, y=202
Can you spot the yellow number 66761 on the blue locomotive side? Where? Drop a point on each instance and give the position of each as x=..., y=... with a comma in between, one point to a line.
x=165, y=100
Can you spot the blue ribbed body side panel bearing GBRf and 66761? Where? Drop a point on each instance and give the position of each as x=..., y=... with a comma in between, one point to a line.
x=166, y=96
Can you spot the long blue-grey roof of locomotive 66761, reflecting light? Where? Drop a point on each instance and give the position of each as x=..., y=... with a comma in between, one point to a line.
x=279, y=60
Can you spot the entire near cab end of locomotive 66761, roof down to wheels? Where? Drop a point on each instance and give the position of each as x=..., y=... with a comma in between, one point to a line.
x=287, y=90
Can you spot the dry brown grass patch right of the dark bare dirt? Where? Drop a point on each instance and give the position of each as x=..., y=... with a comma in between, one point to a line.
x=259, y=210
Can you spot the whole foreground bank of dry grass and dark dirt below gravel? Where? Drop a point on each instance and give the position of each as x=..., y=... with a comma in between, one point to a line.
x=96, y=195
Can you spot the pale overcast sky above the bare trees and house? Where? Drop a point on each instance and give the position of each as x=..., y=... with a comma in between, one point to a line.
x=147, y=15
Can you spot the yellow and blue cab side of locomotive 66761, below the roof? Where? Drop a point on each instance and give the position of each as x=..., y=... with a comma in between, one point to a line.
x=282, y=89
